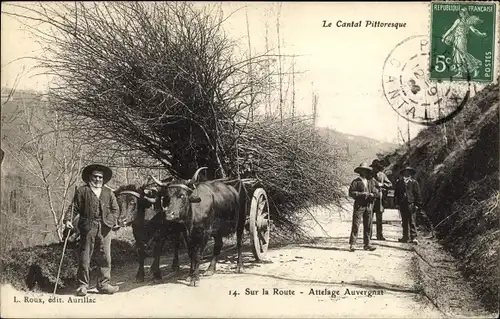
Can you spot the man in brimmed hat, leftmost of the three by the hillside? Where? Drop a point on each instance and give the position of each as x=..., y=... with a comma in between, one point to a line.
x=364, y=191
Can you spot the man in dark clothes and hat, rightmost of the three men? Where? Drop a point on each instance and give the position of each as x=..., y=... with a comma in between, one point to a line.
x=407, y=196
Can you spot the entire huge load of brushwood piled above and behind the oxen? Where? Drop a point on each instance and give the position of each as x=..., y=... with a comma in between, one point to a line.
x=162, y=81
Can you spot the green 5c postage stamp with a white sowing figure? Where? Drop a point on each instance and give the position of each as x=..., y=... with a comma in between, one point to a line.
x=463, y=41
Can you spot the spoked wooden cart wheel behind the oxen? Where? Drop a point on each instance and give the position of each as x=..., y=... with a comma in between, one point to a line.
x=259, y=223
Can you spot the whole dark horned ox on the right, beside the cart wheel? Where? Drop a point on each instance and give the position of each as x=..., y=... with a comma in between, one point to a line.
x=209, y=209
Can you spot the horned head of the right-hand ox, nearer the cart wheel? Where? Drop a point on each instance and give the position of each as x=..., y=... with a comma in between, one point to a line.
x=178, y=196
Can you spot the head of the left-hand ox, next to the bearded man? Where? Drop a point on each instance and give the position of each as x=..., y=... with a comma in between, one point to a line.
x=133, y=201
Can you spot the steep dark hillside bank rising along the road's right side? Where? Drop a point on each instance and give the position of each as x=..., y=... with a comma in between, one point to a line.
x=457, y=165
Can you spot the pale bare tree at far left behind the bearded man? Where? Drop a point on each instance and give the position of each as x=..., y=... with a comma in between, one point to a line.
x=50, y=155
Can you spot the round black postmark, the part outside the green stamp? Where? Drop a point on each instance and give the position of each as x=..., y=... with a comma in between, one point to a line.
x=408, y=89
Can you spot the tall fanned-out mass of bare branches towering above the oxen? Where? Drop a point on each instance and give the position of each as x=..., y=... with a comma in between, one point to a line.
x=160, y=78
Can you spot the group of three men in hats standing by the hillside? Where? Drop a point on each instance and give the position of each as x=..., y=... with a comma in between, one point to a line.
x=368, y=191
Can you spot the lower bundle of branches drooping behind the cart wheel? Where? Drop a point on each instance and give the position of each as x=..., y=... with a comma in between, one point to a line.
x=296, y=165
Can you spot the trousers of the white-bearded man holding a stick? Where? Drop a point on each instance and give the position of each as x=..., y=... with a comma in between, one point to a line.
x=99, y=235
